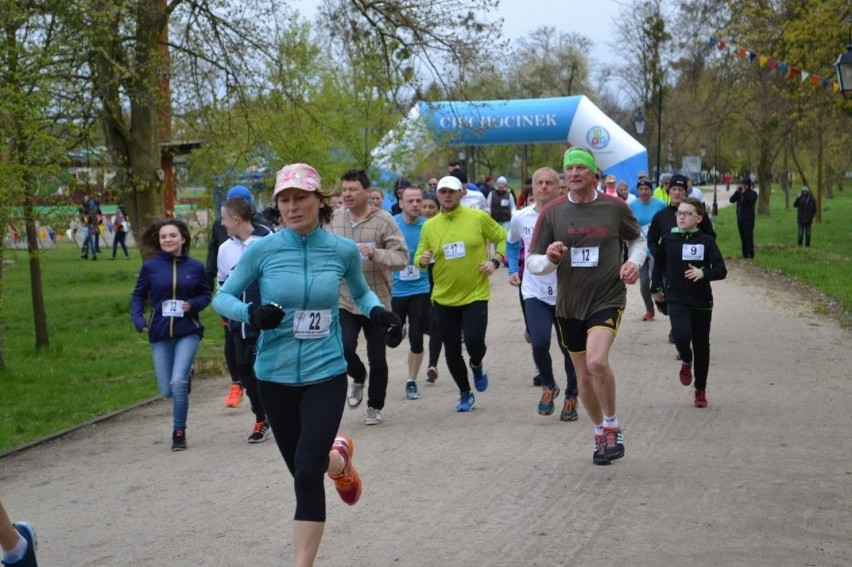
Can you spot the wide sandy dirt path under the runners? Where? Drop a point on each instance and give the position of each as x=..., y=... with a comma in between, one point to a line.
x=761, y=477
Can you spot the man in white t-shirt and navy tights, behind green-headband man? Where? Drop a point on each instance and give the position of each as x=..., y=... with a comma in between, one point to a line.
x=539, y=297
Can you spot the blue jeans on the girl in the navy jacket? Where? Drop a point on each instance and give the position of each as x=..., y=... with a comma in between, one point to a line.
x=172, y=360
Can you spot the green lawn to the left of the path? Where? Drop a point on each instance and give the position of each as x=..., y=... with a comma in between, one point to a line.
x=96, y=362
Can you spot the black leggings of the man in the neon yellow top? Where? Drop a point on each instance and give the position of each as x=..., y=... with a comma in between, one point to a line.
x=473, y=320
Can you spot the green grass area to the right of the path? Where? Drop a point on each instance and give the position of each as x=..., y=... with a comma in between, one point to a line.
x=825, y=266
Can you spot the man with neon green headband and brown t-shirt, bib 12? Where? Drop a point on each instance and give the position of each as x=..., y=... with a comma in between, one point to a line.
x=580, y=235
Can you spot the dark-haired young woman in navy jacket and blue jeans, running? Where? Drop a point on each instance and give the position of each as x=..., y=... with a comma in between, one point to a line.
x=176, y=286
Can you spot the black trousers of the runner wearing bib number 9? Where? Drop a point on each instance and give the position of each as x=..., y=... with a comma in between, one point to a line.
x=692, y=326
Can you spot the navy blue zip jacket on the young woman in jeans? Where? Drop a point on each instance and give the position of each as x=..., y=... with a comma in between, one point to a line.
x=164, y=277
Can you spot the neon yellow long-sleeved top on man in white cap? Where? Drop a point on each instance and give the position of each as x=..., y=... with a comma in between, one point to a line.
x=458, y=280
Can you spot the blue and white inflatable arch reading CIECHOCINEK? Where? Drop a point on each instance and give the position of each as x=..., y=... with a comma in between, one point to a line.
x=573, y=120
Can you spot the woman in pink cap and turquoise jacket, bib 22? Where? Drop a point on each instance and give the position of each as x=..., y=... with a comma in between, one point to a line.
x=300, y=367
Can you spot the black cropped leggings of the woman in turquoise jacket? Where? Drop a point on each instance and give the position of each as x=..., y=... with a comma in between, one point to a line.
x=305, y=420
